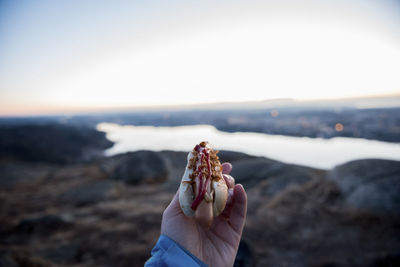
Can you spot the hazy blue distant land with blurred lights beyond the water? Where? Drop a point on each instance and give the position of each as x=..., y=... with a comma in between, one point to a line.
x=311, y=119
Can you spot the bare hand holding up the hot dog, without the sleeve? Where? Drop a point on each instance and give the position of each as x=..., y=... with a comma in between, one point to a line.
x=216, y=246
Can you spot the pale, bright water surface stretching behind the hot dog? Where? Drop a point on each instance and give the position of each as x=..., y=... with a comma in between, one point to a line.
x=314, y=152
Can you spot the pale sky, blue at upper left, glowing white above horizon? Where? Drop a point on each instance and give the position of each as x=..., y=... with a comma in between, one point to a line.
x=71, y=56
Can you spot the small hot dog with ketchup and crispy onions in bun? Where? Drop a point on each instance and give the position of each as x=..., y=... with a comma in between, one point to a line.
x=203, y=192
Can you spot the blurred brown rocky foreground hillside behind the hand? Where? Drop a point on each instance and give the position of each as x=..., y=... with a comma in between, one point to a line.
x=107, y=211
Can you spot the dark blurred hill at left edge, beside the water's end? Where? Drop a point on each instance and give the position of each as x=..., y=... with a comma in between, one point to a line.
x=51, y=142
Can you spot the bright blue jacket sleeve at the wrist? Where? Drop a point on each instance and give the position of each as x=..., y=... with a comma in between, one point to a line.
x=169, y=253
